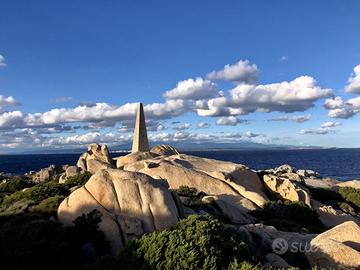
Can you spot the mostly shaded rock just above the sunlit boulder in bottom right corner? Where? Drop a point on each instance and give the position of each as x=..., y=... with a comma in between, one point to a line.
x=331, y=217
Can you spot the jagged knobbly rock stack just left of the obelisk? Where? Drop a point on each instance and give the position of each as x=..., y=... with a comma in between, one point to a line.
x=96, y=158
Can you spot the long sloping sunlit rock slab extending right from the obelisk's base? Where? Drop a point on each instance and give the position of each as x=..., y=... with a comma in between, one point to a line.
x=212, y=177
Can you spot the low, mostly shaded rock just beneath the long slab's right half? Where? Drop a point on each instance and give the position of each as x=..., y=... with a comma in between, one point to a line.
x=233, y=207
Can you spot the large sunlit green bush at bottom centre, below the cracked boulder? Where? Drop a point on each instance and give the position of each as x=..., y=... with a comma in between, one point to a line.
x=198, y=242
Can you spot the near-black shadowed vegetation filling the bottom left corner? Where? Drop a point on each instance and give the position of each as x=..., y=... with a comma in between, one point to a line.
x=33, y=241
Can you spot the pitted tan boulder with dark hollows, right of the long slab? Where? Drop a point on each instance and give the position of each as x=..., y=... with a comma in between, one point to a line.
x=287, y=189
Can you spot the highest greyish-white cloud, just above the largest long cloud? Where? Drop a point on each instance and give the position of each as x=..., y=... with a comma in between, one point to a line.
x=240, y=72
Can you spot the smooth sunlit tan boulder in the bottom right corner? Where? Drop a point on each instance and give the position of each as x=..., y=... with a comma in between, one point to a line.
x=337, y=248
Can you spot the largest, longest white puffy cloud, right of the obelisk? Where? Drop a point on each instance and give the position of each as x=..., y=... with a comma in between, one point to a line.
x=297, y=95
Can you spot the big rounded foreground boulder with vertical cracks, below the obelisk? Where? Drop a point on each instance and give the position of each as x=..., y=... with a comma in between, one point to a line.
x=131, y=204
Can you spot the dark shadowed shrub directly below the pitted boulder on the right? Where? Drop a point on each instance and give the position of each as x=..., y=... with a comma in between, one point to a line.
x=289, y=216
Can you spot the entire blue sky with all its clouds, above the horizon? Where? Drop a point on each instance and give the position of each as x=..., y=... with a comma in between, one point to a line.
x=271, y=72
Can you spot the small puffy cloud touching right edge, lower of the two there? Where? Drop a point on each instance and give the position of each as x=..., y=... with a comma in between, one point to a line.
x=339, y=108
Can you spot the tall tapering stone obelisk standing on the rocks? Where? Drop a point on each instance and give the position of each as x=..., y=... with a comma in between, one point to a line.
x=140, y=140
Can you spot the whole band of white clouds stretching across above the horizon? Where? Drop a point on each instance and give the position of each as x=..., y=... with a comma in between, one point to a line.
x=202, y=98
